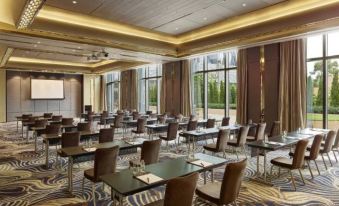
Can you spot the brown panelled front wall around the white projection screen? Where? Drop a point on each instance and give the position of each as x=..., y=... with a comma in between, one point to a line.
x=19, y=100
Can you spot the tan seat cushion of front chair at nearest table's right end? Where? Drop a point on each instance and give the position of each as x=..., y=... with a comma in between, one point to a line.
x=210, y=192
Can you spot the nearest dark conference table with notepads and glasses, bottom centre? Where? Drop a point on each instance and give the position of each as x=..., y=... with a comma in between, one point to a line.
x=124, y=183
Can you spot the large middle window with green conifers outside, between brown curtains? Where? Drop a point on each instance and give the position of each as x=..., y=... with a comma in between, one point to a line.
x=214, y=85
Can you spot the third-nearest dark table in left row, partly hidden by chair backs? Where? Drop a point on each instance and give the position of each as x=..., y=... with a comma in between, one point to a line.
x=56, y=139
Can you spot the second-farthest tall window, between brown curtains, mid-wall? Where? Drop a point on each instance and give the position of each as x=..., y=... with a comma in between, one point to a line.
x=149, y=88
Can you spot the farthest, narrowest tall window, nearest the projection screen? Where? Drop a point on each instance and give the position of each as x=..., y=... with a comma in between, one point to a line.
x=113, y=91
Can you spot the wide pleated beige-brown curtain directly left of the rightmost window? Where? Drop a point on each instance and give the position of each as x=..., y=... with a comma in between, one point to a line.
x=292, y=85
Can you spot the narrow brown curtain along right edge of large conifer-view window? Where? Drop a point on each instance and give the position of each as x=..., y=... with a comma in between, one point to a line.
x=242, y=76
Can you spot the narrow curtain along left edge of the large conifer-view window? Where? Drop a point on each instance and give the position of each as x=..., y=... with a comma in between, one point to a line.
x=186, y=103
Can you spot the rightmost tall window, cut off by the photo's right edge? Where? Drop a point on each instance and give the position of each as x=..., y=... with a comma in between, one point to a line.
x=322, y=80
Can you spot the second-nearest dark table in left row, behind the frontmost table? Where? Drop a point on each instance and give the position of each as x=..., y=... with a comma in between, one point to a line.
x=82, y=154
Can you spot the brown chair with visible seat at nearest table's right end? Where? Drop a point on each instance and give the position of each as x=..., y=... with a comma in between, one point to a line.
x=227, y=191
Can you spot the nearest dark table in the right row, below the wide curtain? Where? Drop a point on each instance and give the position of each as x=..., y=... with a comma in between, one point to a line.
x=277, y=143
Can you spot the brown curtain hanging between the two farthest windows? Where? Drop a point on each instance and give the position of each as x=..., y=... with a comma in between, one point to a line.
x=128, y=90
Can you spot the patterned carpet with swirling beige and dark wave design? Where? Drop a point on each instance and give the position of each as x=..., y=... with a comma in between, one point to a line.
x=25, y=181
